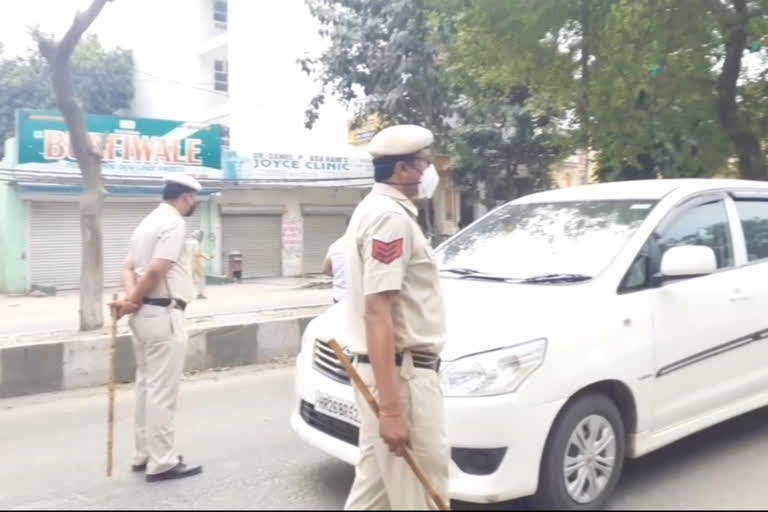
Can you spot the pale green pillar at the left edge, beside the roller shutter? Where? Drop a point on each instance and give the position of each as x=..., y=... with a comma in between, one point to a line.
x=14, y=265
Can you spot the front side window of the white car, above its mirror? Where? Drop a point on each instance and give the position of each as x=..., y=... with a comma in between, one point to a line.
x=704, y=224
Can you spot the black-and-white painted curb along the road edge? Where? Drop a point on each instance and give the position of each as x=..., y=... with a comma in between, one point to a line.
x=71, y=364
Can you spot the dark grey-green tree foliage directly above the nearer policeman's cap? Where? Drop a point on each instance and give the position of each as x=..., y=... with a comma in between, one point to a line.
x=390, y=58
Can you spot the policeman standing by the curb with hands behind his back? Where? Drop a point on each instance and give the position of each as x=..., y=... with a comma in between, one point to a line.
x=158, y=287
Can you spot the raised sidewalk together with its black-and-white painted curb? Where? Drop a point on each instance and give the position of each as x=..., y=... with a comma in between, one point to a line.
x=254, y=322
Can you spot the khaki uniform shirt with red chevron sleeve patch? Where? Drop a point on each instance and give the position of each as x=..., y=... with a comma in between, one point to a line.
x=386, y=250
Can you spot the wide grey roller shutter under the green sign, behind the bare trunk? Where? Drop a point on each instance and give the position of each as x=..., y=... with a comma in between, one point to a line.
x=55, y=249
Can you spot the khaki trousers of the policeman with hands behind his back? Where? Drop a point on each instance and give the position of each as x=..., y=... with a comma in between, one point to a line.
x=160, y=346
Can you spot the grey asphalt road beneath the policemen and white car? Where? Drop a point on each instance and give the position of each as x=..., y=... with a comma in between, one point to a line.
x=235, y=423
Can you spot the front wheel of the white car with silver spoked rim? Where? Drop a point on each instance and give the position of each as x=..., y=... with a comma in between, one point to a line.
x=583, y=457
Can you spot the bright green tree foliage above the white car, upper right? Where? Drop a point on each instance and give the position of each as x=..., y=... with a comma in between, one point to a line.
x=656, y=86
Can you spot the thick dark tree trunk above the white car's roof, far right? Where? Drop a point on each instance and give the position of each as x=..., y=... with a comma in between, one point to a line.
x=746, y=142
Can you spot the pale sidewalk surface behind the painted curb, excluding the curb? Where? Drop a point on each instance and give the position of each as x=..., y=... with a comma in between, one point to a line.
x=27, y=320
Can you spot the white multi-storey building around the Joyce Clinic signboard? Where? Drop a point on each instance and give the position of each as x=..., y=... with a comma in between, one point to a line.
x=234, y=62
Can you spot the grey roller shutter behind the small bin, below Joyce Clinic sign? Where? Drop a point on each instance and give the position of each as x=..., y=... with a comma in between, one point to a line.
x=258, y=238
